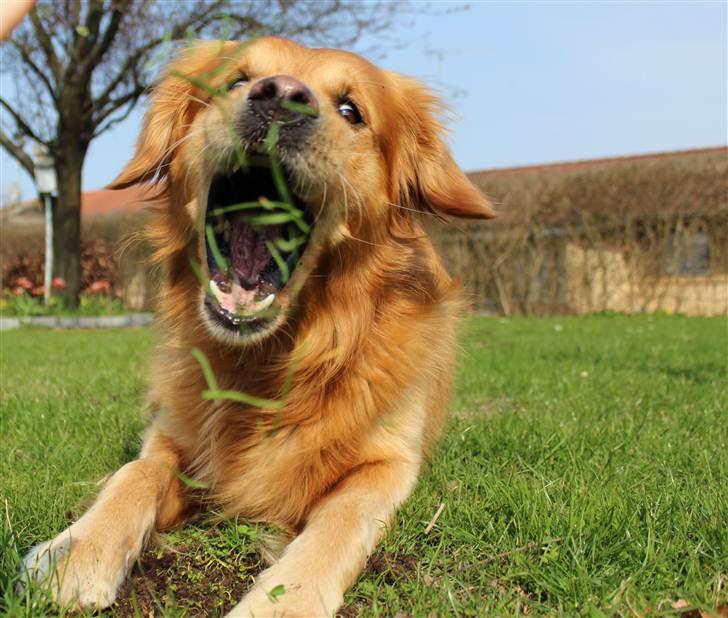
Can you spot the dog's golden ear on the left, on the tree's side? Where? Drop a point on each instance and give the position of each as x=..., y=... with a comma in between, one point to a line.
x=173, y=103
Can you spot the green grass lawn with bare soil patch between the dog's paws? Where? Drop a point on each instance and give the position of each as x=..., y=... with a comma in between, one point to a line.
x=584, y=471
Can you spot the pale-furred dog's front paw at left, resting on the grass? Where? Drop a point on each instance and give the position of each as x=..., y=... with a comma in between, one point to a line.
x=76, y=570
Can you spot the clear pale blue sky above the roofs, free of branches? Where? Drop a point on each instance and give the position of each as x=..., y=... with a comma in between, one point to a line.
x=538, y=82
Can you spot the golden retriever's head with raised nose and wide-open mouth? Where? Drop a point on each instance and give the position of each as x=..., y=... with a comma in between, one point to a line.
x=273, y=154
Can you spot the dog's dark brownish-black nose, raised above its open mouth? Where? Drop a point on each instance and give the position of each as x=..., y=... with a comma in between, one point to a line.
x=282, y=97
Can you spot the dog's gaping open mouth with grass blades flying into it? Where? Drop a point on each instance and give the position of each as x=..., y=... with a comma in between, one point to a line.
x=256, y=231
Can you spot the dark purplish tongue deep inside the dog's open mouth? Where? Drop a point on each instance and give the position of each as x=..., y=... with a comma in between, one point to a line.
x=248, y=254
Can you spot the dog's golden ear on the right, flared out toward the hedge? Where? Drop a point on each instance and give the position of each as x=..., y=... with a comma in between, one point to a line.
x=425, y=173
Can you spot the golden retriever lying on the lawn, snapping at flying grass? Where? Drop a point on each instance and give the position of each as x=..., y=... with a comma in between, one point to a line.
x=305, y=381
